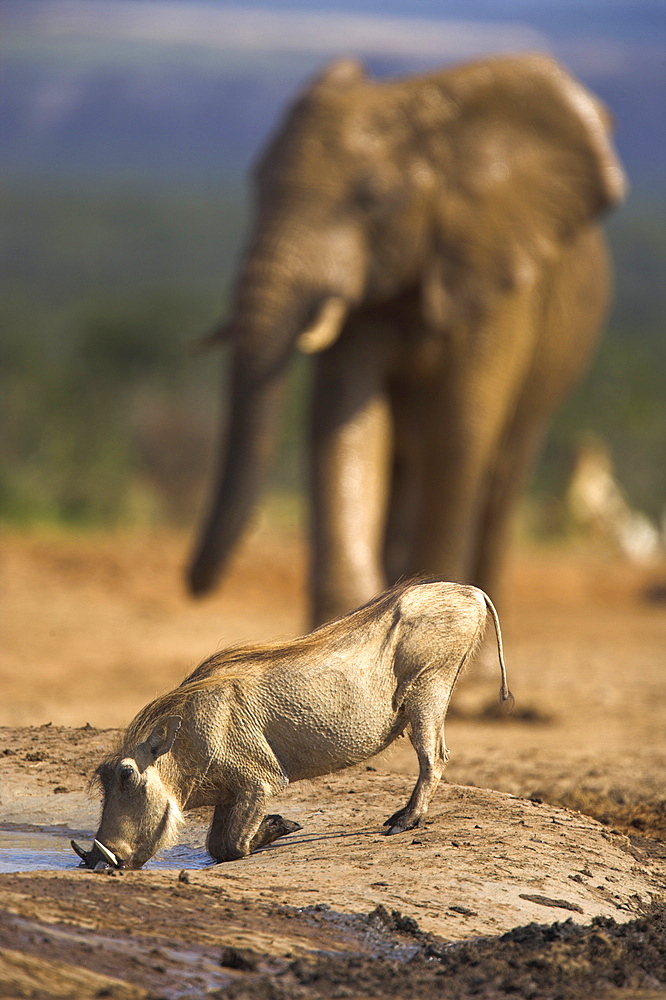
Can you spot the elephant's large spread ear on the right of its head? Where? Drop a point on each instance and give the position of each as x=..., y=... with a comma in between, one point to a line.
x=526, y=163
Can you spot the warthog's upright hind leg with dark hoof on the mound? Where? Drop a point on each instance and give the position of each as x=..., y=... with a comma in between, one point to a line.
x=426, y=713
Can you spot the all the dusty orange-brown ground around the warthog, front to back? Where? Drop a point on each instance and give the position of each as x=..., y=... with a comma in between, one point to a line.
x=541, y=871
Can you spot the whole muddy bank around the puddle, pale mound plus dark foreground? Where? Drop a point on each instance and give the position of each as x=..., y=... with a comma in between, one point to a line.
x=336, y=909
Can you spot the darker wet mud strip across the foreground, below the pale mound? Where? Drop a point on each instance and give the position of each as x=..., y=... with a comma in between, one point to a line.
x=223, y=946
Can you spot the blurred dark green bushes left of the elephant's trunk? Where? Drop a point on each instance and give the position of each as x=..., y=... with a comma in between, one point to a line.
x=103, y=414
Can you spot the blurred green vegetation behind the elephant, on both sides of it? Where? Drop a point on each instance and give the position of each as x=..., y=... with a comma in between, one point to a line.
x=106, y=414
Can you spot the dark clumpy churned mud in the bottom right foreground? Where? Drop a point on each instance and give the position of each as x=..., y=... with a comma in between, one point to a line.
x=558, y=960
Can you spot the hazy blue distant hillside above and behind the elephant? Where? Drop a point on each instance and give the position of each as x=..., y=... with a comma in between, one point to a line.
x=177, y=90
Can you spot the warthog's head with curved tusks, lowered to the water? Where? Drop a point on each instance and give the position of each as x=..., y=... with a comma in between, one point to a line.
x=140, y=814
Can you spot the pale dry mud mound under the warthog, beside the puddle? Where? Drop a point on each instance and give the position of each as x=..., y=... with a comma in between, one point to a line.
x=483, y=862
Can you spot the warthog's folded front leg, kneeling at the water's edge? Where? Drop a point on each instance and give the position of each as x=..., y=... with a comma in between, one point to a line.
x=241, y=827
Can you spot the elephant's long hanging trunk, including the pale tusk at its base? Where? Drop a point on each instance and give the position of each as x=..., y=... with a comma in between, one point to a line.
x=277, y=310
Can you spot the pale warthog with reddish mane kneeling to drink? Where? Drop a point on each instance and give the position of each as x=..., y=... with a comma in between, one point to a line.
x=250, y=720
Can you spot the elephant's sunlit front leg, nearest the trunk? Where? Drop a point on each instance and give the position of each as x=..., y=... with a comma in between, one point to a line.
x=350, y=463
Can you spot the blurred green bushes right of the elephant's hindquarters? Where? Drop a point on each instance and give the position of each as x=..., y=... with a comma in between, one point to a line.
x=623, y=397
